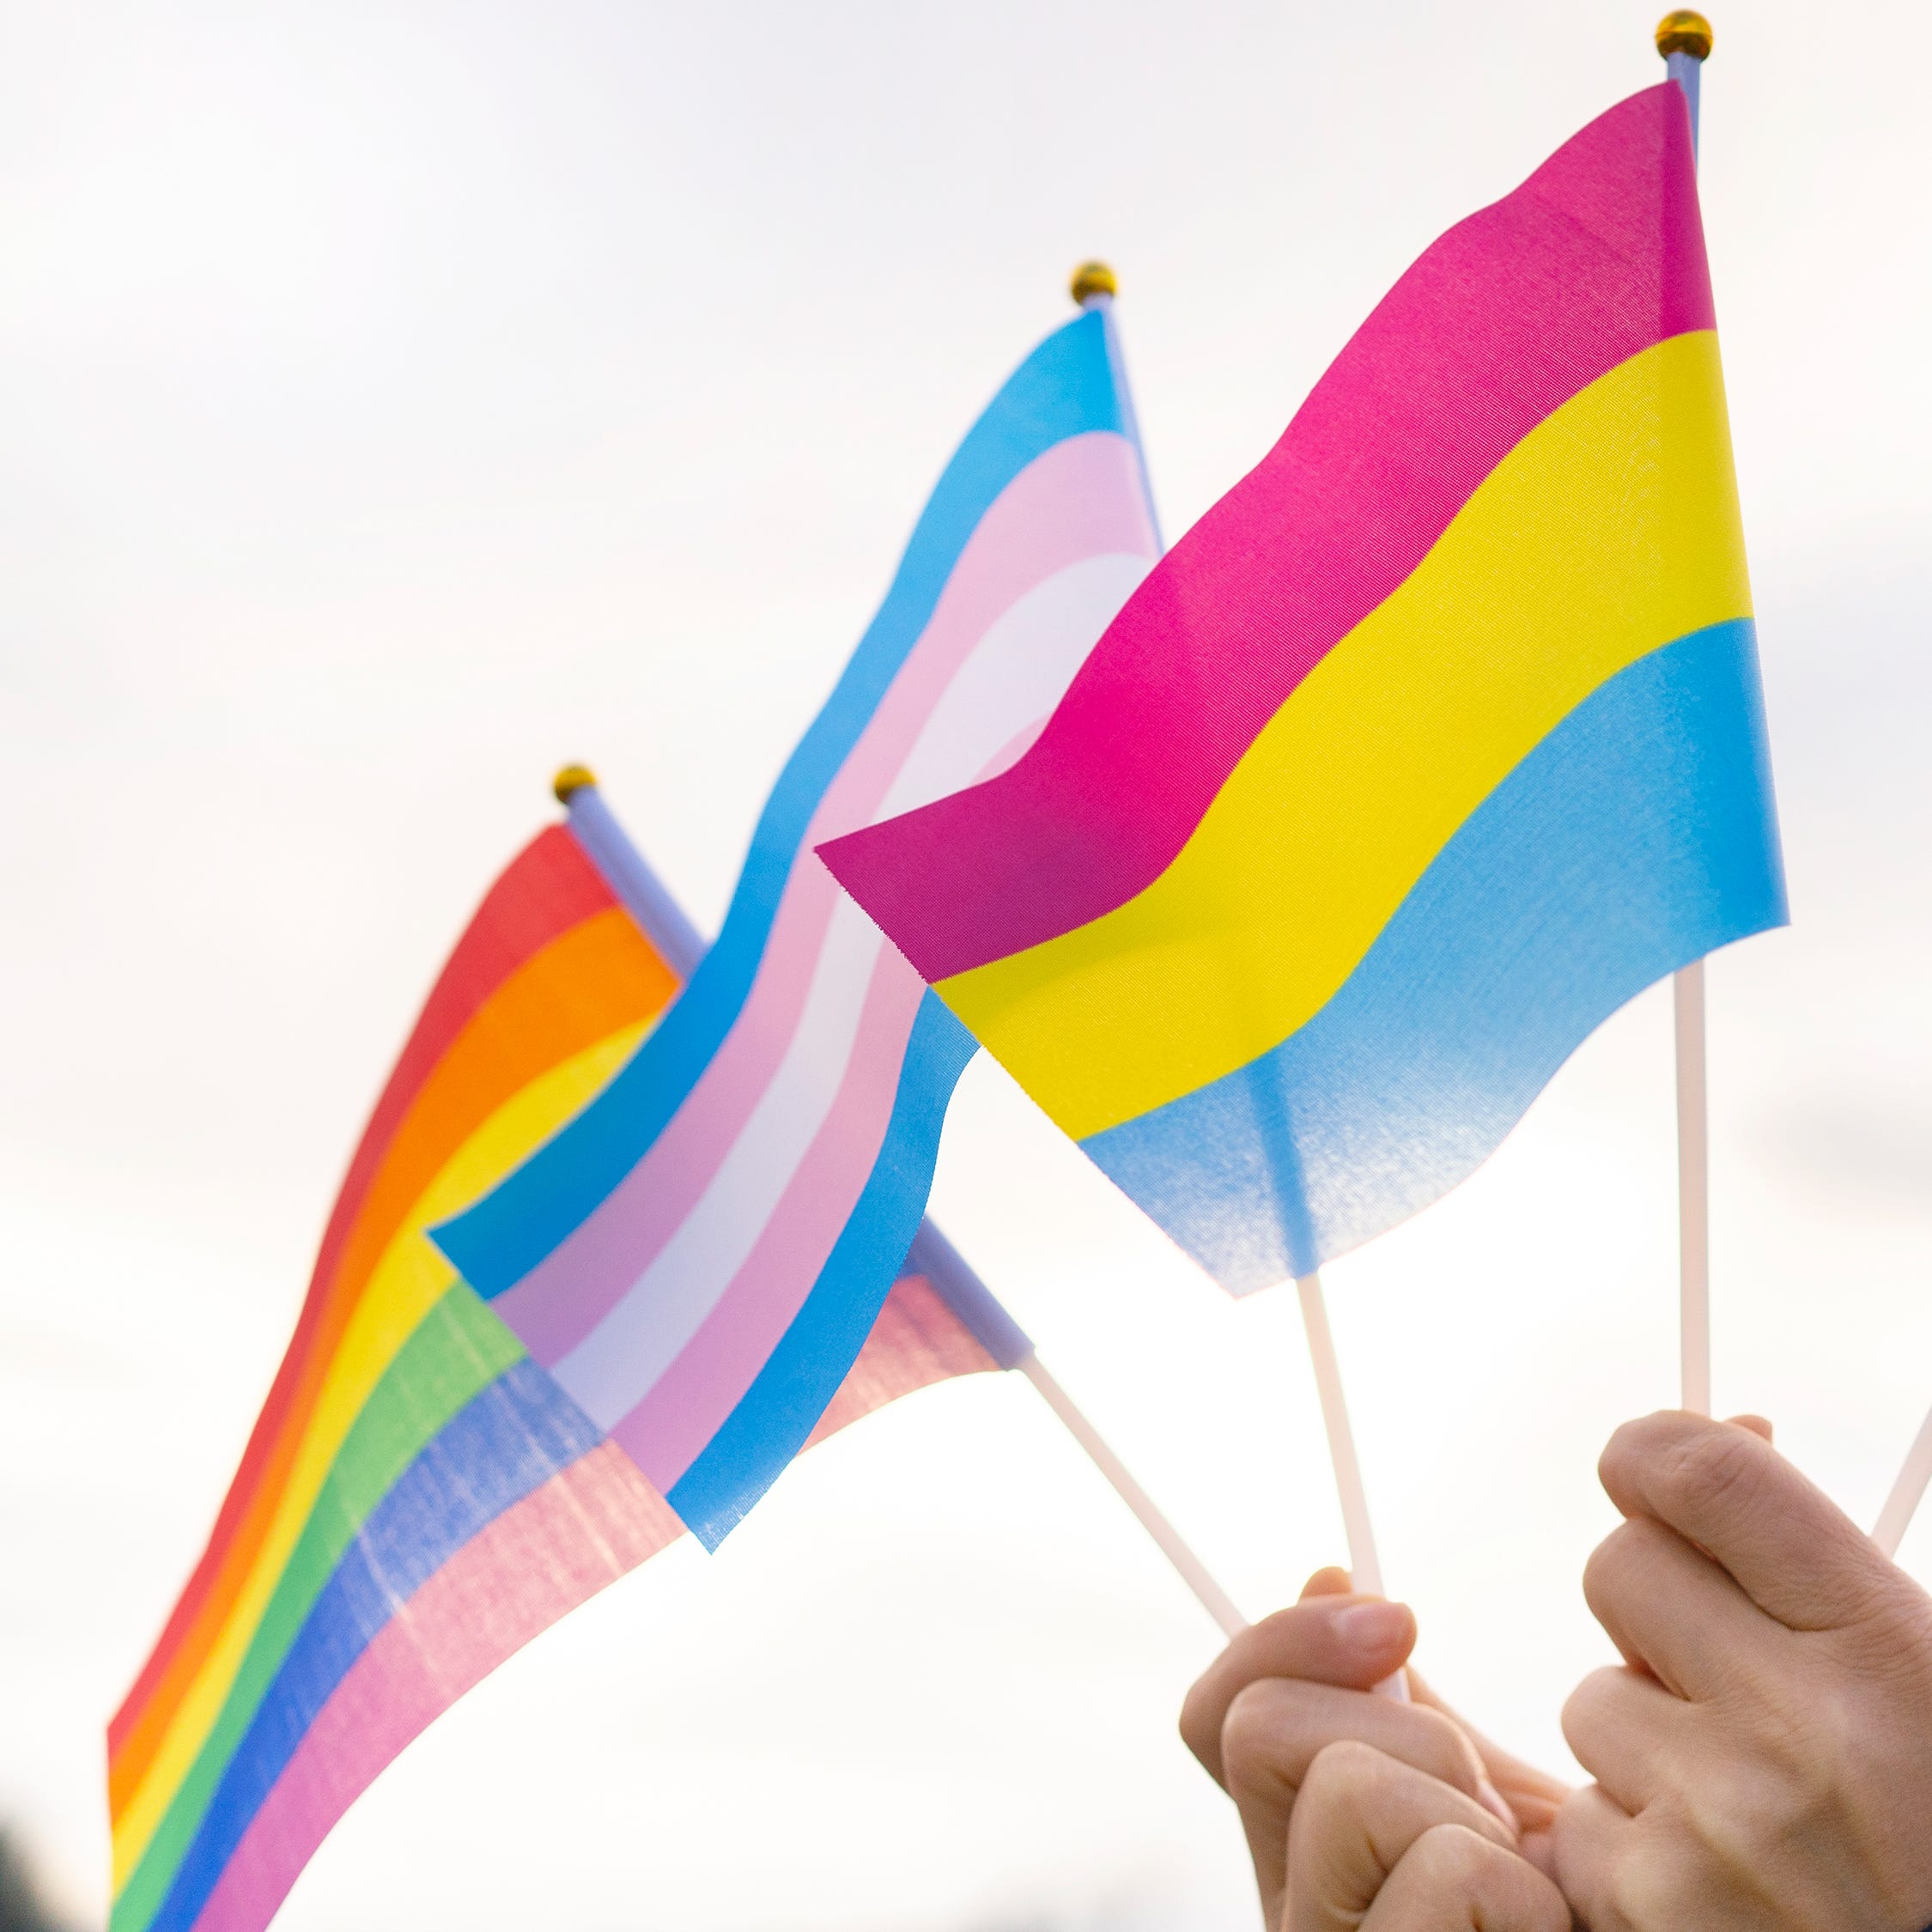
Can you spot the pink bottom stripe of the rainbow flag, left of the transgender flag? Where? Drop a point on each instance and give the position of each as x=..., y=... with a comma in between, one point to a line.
x=584, y=1529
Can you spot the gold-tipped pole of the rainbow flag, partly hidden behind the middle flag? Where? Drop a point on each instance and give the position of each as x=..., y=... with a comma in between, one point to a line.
x=664, y=923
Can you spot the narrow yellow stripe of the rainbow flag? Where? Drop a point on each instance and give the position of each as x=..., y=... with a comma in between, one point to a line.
x=405, y=1284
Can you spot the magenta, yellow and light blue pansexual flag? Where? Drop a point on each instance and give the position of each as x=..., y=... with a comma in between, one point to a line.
x=1435, y=743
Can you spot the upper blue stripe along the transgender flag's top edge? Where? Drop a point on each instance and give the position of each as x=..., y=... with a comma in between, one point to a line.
x=1064, y=389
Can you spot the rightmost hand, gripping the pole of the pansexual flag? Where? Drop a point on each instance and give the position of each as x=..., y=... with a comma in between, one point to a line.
x=1765, y=1755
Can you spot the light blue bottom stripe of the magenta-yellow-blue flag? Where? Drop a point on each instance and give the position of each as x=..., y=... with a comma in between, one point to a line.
x=1637, y=838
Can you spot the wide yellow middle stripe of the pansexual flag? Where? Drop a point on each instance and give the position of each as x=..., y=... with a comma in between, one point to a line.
x=1608, y=532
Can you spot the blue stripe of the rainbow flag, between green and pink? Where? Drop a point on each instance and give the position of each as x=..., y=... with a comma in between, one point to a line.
x=490, y=1456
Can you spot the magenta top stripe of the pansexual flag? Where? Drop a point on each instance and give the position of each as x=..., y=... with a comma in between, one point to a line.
x=1599, y=256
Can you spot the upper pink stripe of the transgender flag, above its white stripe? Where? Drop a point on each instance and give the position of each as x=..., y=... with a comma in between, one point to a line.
x=1079, y=499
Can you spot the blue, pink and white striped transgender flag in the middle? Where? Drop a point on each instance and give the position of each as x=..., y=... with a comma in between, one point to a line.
x=700, y=1255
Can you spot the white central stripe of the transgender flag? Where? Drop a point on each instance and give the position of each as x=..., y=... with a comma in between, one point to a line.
x=1013, y=675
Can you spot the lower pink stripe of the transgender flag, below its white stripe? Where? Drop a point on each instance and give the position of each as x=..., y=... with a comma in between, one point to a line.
x=685, y=1407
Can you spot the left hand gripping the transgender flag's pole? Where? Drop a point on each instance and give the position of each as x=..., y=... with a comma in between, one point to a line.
x=1355, y=1805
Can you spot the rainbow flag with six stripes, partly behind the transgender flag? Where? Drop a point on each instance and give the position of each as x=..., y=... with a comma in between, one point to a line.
x=418, y=1498
